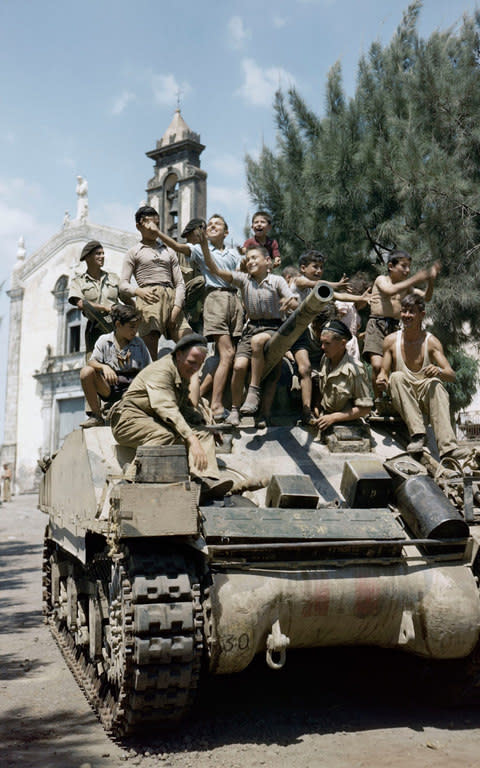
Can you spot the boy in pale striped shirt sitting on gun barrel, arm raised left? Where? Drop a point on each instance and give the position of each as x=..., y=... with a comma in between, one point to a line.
x=265, y=297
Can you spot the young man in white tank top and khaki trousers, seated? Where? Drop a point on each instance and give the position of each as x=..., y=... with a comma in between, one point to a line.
x=414, y=367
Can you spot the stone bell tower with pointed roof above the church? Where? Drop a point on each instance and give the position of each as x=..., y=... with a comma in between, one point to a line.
x=178, y=189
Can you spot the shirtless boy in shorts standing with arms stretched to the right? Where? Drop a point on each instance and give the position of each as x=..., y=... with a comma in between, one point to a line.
x=385, y=305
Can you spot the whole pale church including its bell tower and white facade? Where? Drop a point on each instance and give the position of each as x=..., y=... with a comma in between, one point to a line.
x=44, y=399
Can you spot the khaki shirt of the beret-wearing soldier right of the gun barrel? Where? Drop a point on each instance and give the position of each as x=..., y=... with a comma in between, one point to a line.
x=344, y=386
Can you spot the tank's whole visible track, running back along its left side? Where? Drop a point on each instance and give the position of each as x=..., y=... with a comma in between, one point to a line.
x=151, y=656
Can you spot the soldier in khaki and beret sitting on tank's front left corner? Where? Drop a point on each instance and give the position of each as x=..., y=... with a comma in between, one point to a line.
x=156, y=410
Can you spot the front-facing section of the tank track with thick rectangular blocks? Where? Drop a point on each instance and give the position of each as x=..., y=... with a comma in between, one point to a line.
x=153, y=641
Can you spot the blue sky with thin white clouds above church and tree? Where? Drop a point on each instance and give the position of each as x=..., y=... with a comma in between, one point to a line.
x=88, y=87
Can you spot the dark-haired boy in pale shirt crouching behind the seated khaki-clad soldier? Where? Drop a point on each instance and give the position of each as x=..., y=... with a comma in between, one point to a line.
x=115, y=361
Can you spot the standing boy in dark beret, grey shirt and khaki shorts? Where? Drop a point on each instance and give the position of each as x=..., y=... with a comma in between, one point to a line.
x=160, y=290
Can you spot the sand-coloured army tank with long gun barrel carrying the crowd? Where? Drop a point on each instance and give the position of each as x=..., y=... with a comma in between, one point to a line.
x=345, y=542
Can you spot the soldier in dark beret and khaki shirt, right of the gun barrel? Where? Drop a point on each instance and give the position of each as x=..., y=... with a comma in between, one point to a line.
x=344, y=393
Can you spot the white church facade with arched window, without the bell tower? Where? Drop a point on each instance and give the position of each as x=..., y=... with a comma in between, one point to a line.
x=44, y=398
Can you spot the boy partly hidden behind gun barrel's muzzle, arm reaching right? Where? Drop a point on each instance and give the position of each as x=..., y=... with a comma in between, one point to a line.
x=311, y=266
